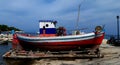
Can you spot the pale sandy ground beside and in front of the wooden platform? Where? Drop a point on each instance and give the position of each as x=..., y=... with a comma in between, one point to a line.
x=111, y=57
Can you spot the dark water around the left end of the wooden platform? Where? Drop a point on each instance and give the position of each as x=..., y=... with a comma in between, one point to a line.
x=5, y=48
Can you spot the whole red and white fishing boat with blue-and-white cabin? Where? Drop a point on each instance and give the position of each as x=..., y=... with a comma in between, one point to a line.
x=51, y=38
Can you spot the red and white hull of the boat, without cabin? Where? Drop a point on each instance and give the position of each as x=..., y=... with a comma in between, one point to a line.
x=60, y=45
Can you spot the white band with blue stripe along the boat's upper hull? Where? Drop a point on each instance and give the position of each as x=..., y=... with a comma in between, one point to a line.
x=58, y=39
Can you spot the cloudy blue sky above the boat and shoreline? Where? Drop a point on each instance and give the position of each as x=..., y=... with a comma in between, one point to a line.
x=25, y=14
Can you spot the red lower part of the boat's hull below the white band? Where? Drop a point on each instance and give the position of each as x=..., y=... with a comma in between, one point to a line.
x=58, y=46
